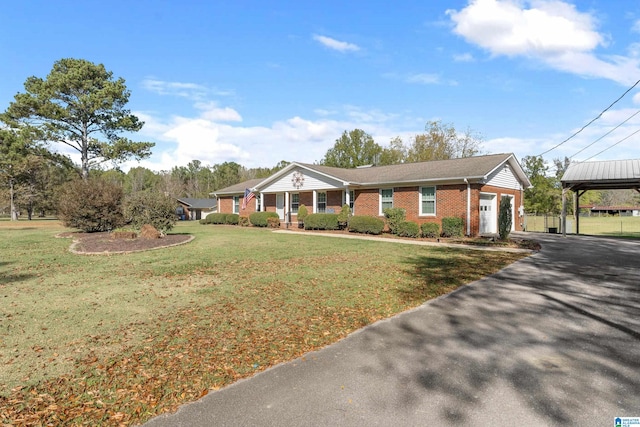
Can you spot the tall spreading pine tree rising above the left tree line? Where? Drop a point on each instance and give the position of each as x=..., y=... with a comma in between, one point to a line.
x=81, y=105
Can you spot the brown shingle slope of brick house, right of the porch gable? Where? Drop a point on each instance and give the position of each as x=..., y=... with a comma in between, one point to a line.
x=467, y=167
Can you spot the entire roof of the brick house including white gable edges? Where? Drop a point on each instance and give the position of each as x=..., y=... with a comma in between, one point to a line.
x=472, y=168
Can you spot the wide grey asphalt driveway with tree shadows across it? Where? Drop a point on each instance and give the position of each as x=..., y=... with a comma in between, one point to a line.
x=553, y=339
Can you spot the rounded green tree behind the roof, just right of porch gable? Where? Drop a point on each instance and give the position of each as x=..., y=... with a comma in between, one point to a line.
x=352, y=149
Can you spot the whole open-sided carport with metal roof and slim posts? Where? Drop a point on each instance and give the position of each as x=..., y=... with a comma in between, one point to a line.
x=602, y=175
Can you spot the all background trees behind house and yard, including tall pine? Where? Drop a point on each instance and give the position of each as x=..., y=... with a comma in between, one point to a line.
x=81, y=105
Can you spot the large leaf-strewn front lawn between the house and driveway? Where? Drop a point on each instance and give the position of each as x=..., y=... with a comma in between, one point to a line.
x=110, y=339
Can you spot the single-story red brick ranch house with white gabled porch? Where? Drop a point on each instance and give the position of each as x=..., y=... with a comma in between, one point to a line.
x=469, y=188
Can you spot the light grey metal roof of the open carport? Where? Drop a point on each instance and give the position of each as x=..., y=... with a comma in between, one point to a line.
x=604, y=175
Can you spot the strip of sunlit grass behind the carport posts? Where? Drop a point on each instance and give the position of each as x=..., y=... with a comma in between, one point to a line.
x=625, y=226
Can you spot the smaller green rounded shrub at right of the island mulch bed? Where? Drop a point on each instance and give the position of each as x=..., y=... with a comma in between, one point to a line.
x=150, y=207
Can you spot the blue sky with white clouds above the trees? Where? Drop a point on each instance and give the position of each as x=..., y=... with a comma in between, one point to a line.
x=258, y=82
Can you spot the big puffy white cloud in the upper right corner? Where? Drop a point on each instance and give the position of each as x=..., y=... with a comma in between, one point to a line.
x=551, y=31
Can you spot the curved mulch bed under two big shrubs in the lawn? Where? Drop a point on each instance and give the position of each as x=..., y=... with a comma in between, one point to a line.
x=105, y=243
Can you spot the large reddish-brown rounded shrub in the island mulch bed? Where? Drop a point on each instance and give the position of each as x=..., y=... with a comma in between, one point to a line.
x=92, y=205
